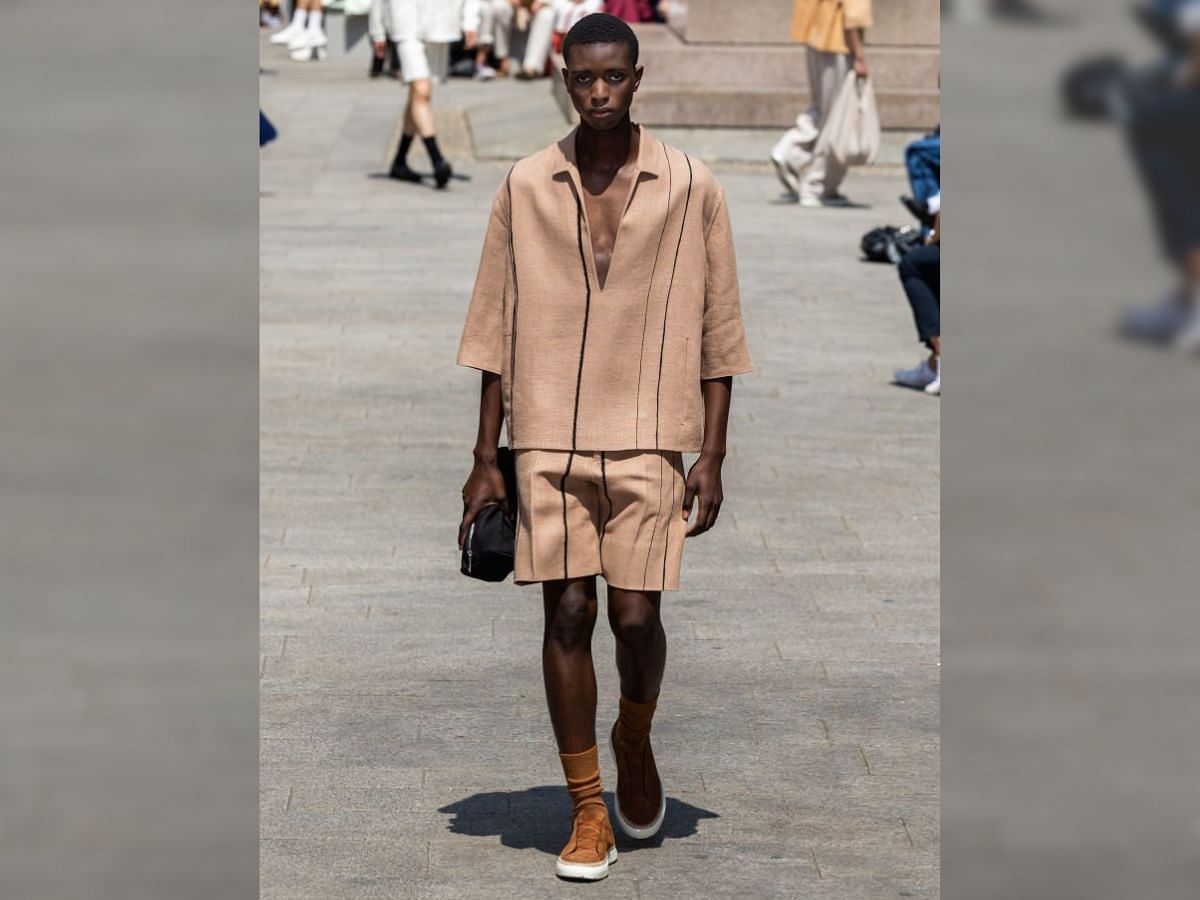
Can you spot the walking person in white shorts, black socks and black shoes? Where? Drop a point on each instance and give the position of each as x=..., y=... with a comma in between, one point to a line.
x=424, y=31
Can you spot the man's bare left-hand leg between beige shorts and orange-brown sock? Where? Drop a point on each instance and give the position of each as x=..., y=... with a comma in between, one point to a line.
x=567, y=667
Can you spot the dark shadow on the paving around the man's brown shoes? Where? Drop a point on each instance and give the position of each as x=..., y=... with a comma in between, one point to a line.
x=539, y=819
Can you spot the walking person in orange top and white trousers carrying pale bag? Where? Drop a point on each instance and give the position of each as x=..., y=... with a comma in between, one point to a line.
x=835, y=34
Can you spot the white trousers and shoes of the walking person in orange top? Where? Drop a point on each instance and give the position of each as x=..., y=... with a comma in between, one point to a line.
x=819, y=173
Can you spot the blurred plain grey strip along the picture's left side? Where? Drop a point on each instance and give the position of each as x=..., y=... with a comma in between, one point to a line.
x=129, y=464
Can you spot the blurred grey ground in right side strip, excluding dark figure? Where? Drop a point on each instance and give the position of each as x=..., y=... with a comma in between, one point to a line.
x=1071, y=501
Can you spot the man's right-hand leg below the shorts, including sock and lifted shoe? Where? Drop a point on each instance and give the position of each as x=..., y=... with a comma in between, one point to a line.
x=641, y=659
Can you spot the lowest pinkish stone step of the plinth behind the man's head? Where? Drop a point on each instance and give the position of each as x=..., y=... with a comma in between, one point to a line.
x=769, y=107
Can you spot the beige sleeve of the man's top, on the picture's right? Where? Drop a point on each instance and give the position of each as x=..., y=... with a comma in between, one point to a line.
x=724, y=346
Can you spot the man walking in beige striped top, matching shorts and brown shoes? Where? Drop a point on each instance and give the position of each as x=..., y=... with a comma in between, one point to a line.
x=608, y=327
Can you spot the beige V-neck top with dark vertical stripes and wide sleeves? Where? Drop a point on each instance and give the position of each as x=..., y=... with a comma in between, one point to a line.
x=620, y=369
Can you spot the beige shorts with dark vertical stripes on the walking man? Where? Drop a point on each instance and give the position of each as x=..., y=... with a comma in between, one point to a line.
x=616, y=514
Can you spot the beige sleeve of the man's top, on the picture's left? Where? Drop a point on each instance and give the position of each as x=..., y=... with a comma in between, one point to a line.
x=483, y=335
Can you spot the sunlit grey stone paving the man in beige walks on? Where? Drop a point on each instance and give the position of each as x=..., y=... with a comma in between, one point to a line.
x=406, y=749
